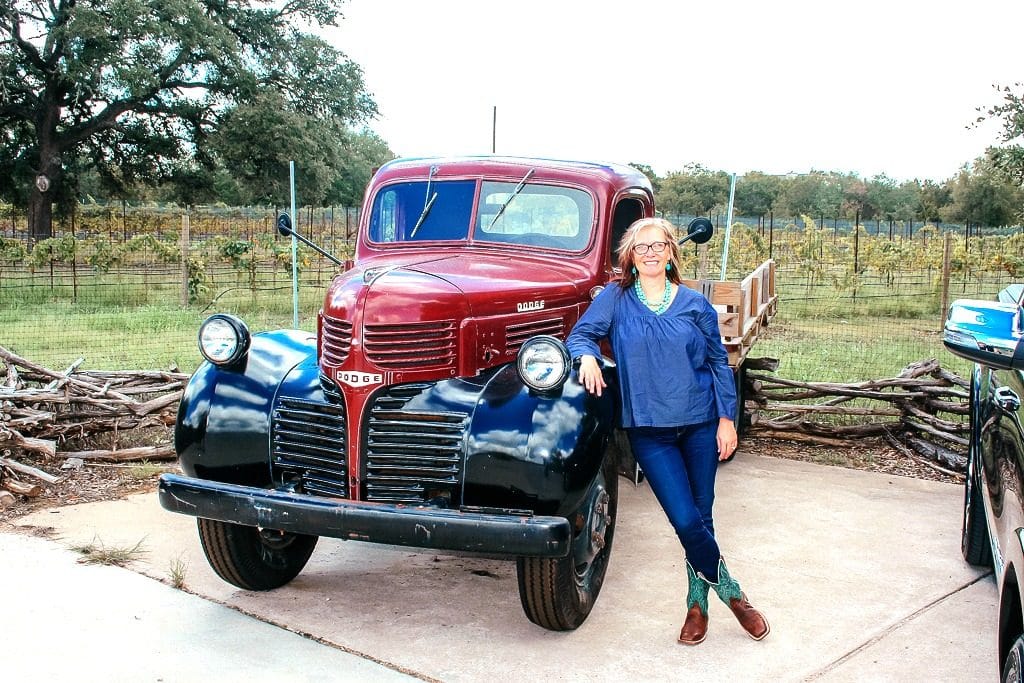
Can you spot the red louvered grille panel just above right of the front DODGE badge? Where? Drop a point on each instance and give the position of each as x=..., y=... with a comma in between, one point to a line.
x=412, y=346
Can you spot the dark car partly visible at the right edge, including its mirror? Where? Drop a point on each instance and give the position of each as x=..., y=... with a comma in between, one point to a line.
x=990, y=334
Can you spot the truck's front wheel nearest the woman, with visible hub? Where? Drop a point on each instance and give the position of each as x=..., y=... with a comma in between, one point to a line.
x=559, y=593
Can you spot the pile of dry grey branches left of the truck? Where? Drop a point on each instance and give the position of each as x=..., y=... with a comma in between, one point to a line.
x=41, y=409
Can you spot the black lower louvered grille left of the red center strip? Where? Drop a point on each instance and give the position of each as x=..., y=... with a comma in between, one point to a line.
x=309, y=447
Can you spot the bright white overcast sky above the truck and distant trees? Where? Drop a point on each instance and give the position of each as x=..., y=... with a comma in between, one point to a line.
x=867, y=88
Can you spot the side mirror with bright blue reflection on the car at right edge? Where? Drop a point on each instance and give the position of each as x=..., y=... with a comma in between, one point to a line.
x=985, y=332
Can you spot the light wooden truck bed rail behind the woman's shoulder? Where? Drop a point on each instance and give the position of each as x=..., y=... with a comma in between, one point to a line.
x=745, y=309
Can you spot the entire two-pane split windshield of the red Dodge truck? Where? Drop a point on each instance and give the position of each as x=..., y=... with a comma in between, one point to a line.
x=539, y=217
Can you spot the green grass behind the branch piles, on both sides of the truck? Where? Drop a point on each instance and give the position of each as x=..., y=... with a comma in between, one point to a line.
x=134, y=319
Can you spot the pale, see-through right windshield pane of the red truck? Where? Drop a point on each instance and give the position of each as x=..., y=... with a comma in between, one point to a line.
x=538, y=217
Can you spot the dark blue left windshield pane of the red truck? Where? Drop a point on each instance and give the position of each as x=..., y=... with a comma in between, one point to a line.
x=398, y=208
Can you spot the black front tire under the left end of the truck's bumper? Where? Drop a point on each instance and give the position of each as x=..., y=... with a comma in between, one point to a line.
x=251, y=559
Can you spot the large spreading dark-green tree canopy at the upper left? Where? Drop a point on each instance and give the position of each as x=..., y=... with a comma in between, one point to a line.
x=157, y=91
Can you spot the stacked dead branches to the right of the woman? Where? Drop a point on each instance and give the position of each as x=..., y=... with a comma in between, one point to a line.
x=922, y=413
